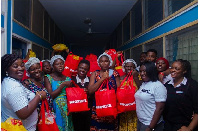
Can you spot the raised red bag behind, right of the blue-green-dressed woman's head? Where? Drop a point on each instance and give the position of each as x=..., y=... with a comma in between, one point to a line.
x=71, y=65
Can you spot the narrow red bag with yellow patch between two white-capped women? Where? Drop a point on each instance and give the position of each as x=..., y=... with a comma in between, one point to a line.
x=118, y=66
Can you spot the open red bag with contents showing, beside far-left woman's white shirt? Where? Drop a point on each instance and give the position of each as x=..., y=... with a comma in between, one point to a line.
x=46, y=118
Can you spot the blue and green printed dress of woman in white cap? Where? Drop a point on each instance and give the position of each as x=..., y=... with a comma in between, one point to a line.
x=63, y=120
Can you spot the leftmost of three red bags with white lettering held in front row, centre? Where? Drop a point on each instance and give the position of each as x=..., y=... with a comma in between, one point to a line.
x=76, y=99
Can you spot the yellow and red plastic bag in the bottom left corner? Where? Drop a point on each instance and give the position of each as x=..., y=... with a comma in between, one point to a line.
x=12, y=125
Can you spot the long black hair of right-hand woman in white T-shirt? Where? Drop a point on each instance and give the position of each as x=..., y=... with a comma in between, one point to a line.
x=151, y=70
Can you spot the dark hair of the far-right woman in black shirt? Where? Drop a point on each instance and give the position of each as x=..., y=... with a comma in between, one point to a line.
x=186, y=67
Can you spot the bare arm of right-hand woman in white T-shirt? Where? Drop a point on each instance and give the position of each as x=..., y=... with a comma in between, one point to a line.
x=156, y=115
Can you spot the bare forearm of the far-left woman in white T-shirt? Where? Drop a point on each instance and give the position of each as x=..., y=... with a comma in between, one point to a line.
x=32, y=105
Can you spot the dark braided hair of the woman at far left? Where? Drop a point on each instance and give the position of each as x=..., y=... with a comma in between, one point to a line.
x=6, y=61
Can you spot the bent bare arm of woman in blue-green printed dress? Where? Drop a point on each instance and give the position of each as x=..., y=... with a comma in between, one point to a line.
x=55, y=93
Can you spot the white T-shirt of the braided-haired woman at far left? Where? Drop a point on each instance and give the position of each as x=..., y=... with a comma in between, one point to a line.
x=14, y=96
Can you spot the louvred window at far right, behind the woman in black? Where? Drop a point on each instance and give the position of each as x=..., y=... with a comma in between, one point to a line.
x=184, y=45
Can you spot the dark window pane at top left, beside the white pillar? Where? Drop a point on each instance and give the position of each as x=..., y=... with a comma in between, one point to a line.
x=22, y=11
